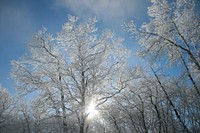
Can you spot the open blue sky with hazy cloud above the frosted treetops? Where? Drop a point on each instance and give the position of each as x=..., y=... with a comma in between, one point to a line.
x=20, y=19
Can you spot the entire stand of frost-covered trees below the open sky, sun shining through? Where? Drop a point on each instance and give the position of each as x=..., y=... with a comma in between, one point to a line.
x=81, y=81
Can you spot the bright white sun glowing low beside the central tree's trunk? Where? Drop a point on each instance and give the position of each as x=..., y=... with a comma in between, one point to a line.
x=91, y=111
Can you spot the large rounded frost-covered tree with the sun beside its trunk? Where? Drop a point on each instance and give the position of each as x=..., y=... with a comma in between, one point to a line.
x=72, y=70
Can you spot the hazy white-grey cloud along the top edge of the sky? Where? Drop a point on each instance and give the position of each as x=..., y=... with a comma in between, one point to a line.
x=105, y=9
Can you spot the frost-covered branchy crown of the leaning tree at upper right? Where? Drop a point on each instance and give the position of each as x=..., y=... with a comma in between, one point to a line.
x=173, y=32
